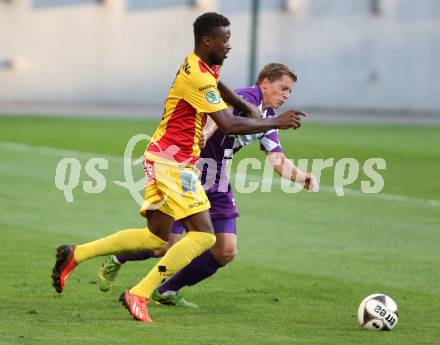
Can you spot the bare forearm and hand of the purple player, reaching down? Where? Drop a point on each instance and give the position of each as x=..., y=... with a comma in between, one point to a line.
x=285, y=168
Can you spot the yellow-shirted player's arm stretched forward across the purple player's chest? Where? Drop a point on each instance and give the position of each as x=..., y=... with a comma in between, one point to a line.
x=230, y=124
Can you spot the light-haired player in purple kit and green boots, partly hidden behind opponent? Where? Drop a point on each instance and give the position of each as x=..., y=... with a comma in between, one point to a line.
x=273, y=87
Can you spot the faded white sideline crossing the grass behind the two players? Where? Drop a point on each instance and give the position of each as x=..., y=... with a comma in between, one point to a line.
x=62, y=153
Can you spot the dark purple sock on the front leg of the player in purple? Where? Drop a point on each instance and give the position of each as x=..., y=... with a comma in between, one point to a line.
x=200, y=268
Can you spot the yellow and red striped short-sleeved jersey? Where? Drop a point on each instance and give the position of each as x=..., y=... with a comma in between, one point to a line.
x=193, y=94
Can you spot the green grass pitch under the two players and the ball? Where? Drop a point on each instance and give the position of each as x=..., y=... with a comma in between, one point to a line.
x=305, y=260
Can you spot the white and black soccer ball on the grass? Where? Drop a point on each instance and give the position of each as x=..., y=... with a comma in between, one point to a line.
x=378, y=312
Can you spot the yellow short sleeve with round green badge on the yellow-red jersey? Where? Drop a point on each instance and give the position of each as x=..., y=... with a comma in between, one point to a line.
x=203, y=95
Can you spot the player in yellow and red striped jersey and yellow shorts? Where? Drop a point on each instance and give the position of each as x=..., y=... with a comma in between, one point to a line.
x=173, y=190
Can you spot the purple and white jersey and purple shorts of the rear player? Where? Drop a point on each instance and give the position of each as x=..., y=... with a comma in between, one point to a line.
x=221, y=148
